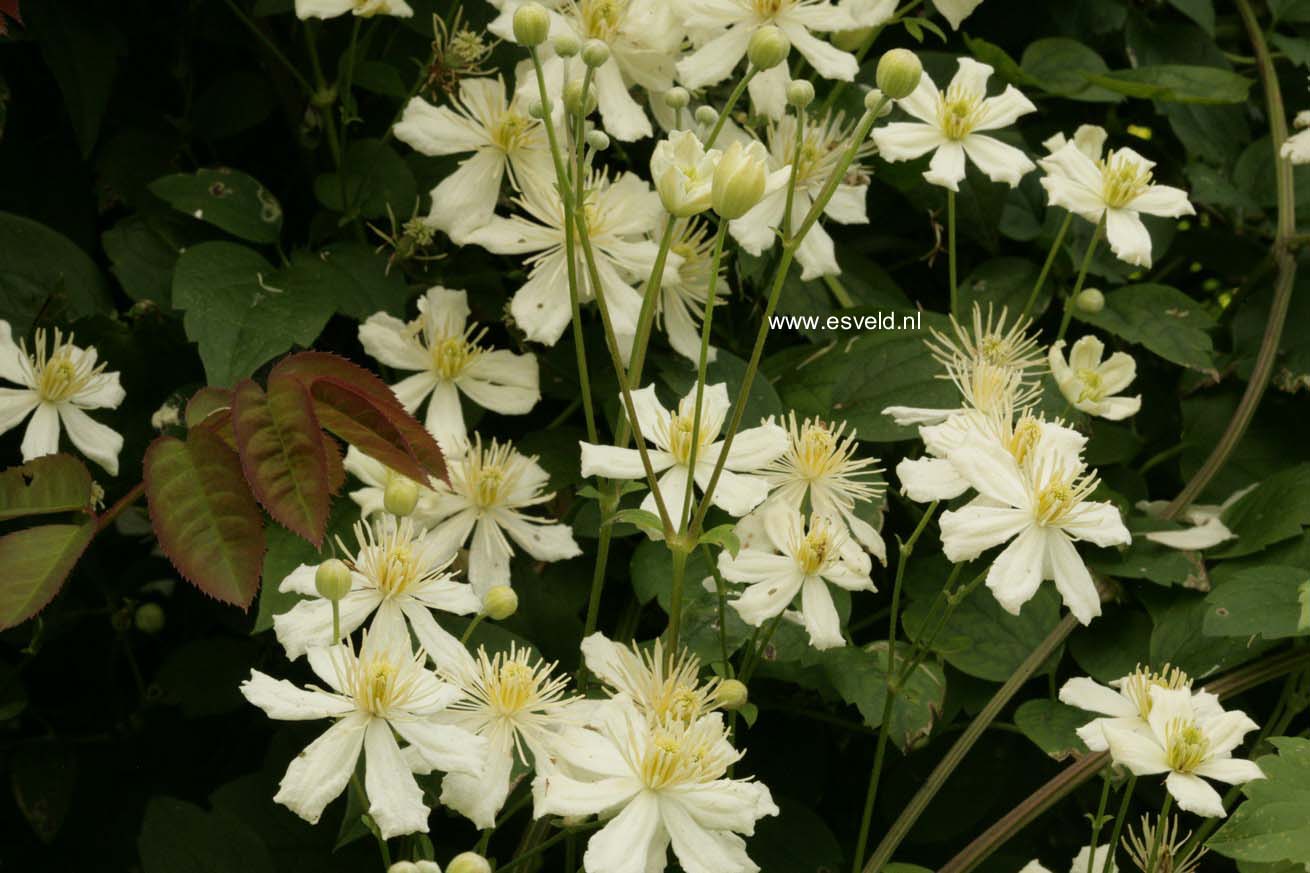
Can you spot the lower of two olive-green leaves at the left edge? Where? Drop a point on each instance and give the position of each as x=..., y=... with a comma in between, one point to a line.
x=36, y=563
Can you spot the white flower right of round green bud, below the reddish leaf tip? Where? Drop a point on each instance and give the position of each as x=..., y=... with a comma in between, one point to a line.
x=489, y=488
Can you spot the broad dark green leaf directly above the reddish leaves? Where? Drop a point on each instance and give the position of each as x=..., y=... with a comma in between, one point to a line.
x=243, y=311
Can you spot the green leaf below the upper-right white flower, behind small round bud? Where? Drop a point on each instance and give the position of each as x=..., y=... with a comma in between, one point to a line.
x=1163, y=319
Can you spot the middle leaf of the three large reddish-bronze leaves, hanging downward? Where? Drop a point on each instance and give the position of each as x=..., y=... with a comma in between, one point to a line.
x=284, y=456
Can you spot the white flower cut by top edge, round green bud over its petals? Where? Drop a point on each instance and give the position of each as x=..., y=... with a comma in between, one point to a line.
x=729, y=26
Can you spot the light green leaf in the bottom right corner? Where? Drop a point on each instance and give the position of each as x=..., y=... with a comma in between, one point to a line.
x=1274, y=821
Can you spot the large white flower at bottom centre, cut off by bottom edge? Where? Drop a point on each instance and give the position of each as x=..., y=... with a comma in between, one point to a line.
x=664, y=783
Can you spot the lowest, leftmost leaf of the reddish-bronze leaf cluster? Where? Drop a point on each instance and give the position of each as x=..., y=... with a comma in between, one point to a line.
x=206, y=520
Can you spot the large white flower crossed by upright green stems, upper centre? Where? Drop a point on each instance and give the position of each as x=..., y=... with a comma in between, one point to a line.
x=620, y=216
